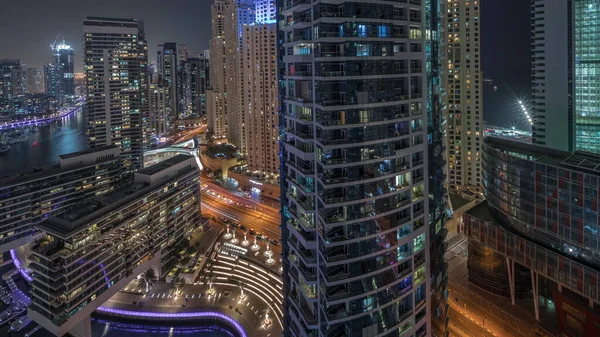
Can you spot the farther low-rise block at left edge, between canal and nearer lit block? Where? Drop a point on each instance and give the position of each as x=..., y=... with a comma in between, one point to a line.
x=28, y=198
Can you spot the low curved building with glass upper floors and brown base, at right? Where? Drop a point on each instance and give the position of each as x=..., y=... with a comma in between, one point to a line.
x=537, y=232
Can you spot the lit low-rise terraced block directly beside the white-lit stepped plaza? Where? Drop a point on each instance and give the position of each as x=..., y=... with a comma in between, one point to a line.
x=95, y=248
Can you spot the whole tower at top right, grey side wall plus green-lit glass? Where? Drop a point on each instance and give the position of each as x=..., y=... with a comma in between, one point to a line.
x=565, y=60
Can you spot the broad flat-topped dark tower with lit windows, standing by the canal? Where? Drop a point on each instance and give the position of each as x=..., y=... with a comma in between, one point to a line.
x=115, y=64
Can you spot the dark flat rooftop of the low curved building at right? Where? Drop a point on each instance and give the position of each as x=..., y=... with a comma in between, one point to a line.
x=578, y=161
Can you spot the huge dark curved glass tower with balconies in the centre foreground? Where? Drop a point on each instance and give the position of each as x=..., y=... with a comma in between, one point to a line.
x=354, y=171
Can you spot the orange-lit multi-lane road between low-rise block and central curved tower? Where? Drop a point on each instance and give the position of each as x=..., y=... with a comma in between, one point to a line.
x=265, y=223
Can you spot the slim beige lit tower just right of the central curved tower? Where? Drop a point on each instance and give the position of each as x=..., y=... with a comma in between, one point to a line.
x=464, y=95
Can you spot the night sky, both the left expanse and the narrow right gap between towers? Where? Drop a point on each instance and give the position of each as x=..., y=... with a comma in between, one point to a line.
x=29, y=26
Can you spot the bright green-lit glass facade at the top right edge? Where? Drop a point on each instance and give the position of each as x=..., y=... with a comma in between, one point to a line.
x=587, y=75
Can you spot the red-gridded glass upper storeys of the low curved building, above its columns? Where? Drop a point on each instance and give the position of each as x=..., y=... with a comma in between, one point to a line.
x=541, y=212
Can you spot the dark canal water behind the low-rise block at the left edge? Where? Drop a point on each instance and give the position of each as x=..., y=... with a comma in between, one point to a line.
x=64, y=136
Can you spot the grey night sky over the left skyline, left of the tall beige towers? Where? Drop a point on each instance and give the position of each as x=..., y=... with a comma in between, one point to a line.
x=29, y=26
